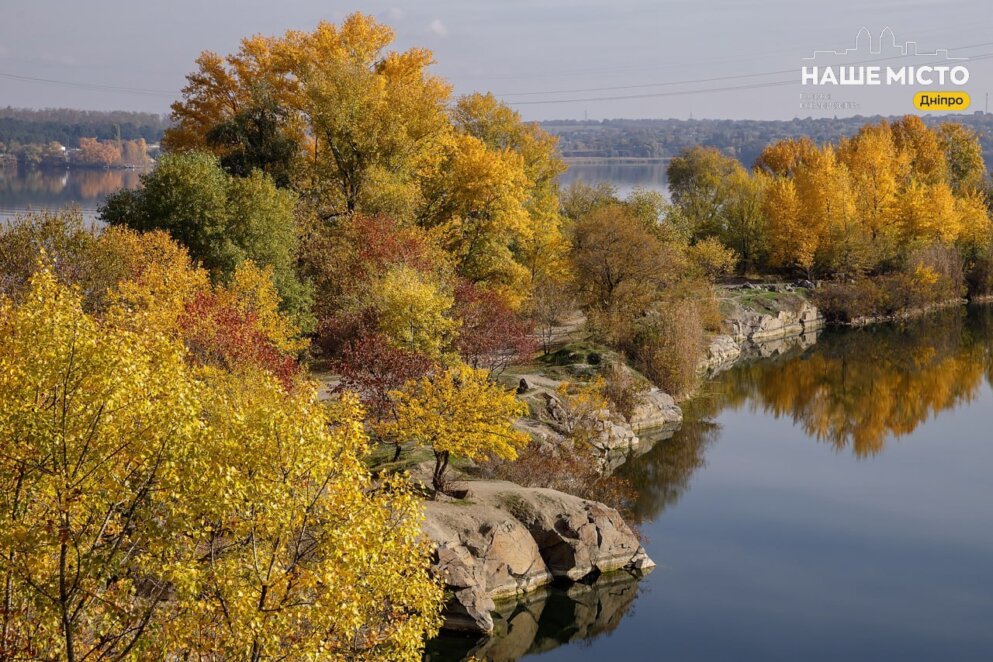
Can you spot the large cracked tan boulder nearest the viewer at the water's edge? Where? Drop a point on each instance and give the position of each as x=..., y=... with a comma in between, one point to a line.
x=502, y=540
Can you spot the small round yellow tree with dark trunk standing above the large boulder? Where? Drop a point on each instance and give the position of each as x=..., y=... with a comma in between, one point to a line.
x=460, y=411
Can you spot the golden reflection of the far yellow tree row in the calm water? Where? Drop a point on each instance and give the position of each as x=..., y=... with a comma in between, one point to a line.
x=859, y=389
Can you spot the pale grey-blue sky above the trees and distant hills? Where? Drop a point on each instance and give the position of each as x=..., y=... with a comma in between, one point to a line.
x=550, y=59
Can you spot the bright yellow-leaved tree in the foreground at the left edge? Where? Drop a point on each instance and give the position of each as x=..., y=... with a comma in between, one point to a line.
x=92, y=418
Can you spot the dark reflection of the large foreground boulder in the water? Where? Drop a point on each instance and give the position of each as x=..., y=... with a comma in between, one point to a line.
x=545, y=619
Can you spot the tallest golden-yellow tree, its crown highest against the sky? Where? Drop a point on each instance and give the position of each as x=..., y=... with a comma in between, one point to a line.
x=378, y=119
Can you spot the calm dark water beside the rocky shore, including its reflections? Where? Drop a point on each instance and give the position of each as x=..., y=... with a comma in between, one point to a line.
x=832, y=503
